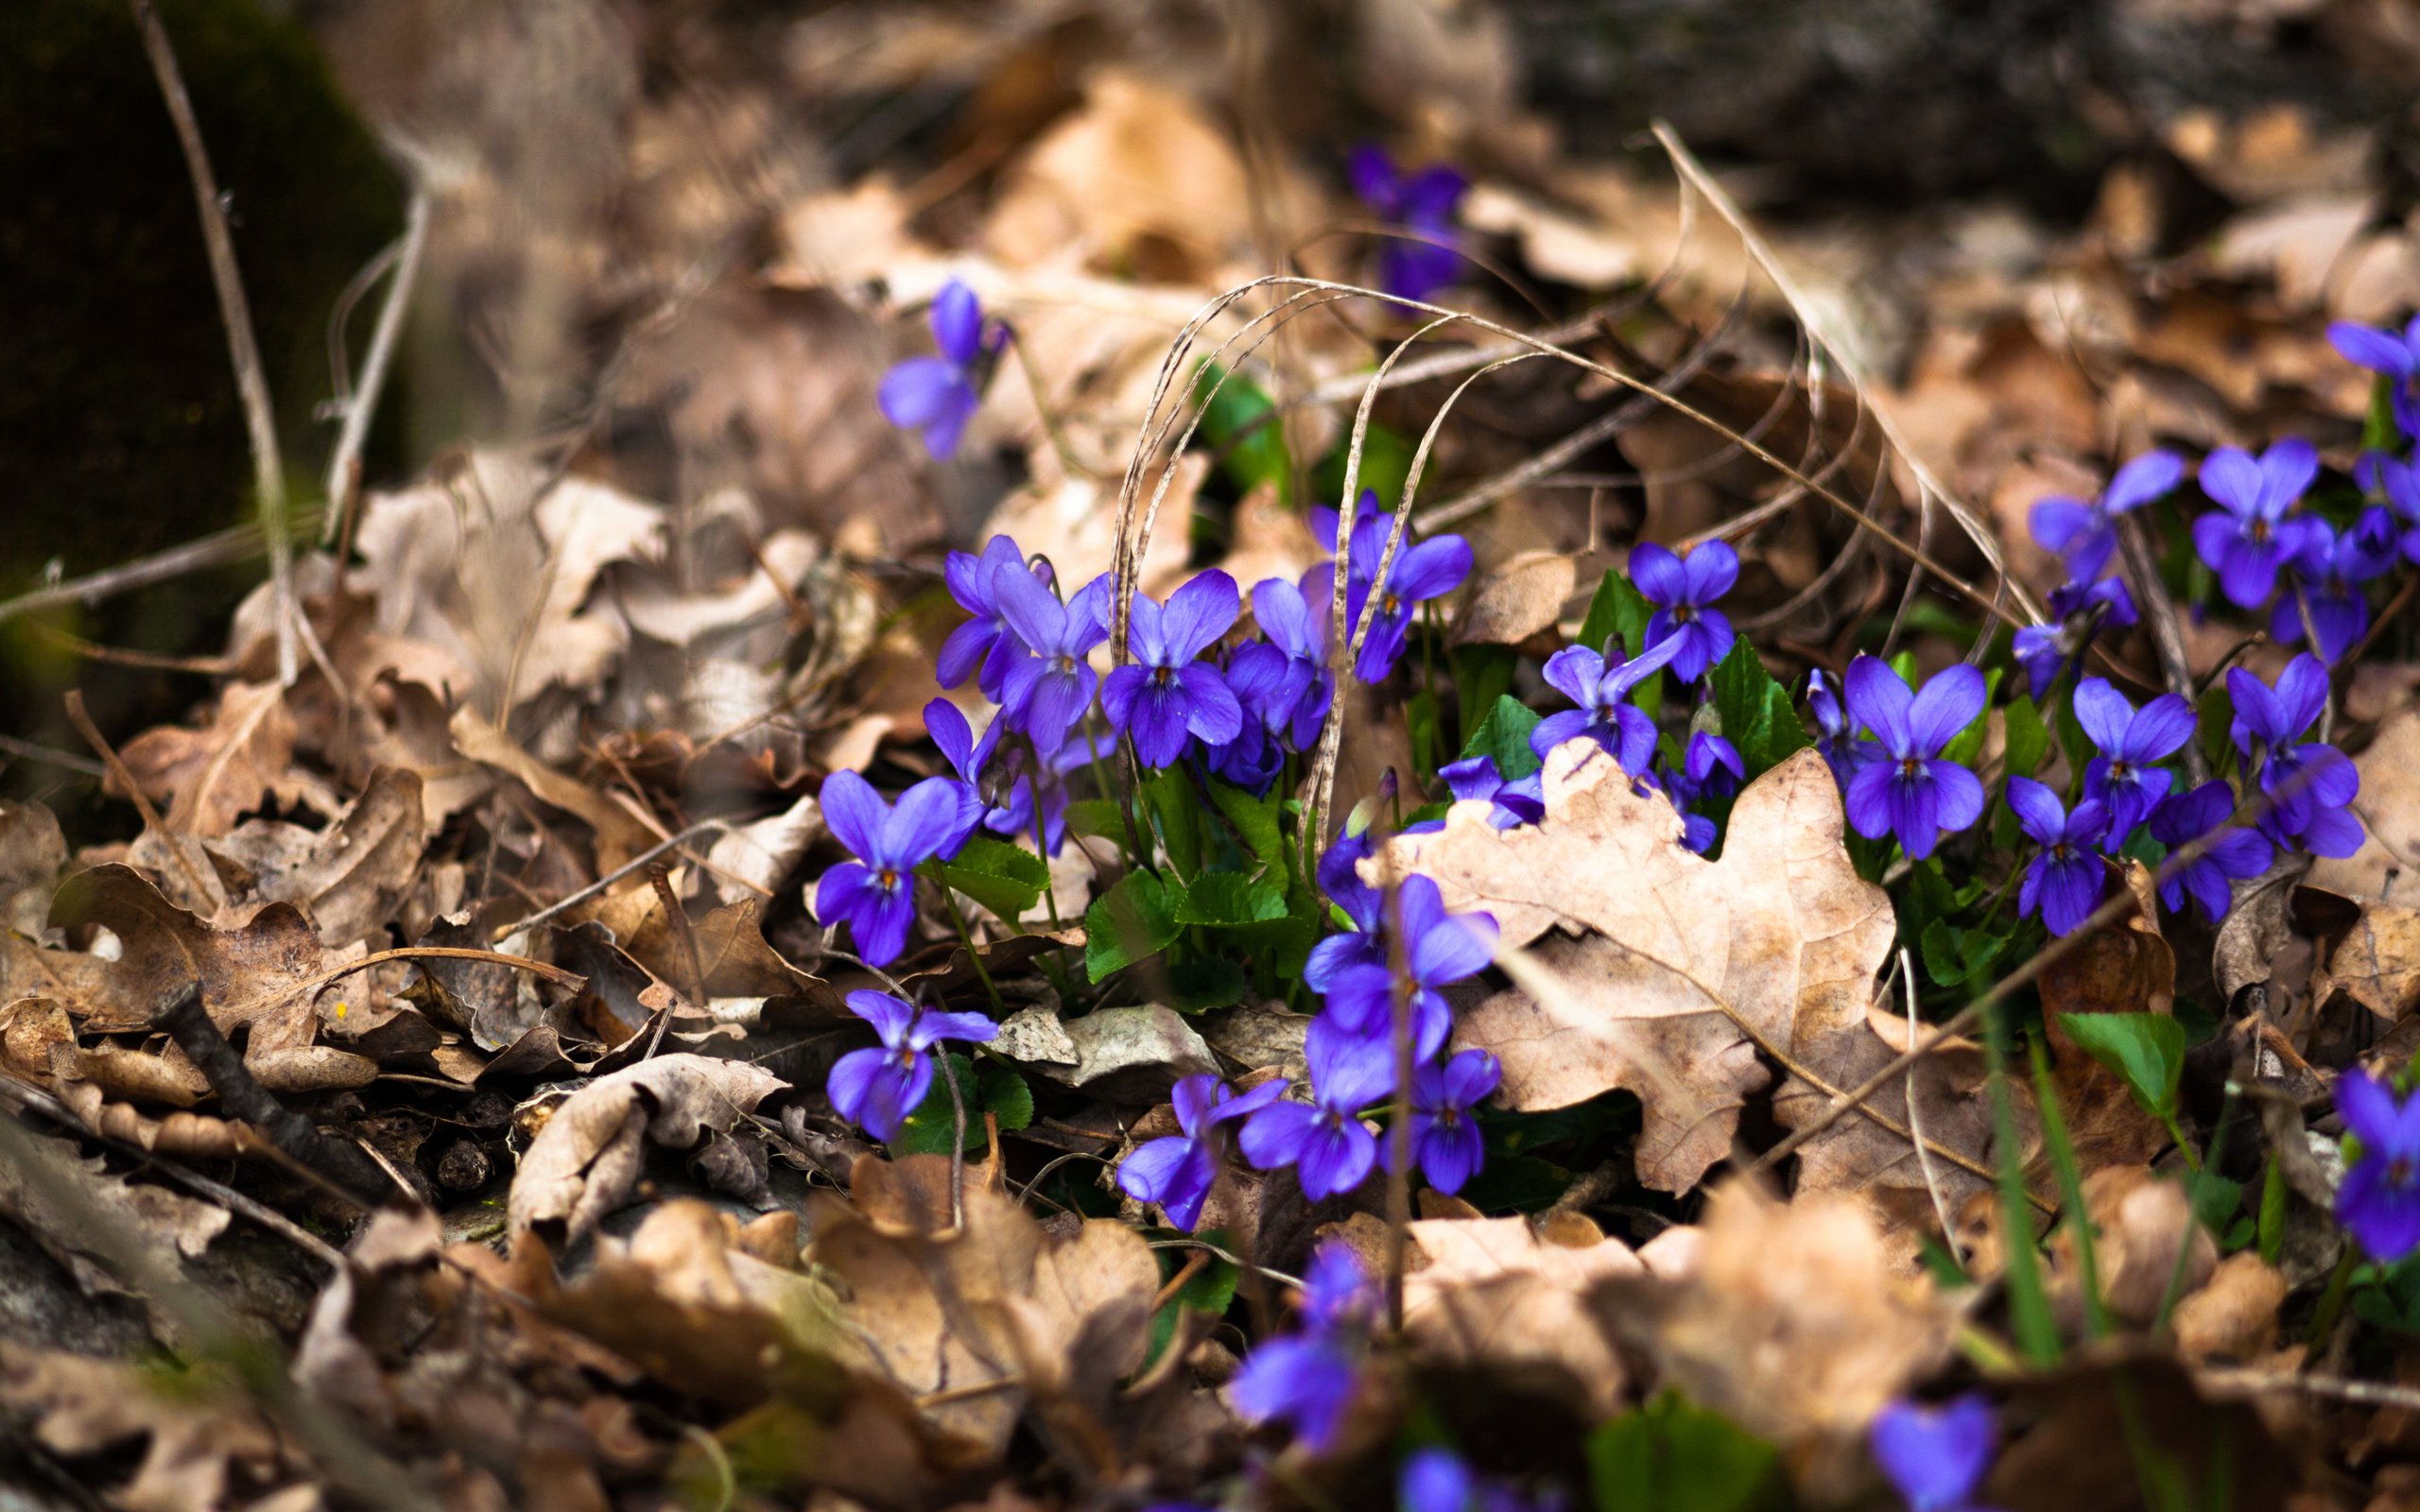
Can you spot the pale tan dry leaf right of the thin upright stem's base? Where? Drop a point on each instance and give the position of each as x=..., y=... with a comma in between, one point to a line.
x=1502, y=1295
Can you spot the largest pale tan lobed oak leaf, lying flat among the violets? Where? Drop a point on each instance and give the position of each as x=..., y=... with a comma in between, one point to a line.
x=1664, y=974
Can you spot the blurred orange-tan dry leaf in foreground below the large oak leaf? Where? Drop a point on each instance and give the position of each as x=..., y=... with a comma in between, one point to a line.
x=1792, y=1320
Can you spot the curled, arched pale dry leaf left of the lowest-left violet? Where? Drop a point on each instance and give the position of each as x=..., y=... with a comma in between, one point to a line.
x=592, y=1150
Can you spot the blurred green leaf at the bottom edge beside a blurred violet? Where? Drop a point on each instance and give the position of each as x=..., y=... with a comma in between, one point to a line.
x=1673, y=1458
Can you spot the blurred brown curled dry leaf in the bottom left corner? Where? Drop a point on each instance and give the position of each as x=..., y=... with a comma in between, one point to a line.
x=204, y=1453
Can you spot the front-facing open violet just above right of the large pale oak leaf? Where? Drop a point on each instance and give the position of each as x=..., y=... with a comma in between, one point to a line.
x=1906, y=787
